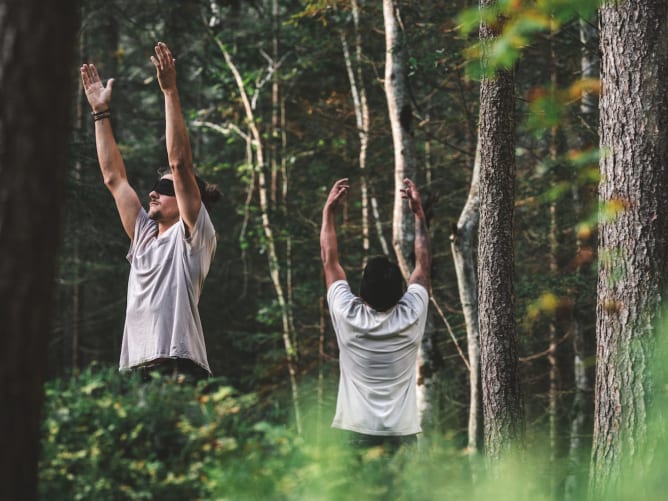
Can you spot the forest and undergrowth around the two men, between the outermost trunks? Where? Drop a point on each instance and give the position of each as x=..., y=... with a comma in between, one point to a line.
x=263, y=308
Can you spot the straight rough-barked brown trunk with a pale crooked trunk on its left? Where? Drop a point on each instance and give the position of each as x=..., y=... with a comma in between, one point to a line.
x=502, y=402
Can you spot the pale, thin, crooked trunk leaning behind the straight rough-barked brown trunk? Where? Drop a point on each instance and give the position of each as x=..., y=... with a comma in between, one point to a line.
x=463, y=242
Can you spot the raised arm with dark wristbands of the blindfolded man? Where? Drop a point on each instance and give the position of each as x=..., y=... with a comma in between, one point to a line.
x=108, y=154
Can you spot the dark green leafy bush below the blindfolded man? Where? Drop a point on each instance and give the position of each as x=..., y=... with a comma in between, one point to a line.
x=109, y=436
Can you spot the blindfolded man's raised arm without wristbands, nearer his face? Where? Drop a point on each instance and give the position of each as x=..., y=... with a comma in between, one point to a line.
x=179, y=154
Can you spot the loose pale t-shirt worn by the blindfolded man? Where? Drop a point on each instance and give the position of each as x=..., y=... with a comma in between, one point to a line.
x=164, y=286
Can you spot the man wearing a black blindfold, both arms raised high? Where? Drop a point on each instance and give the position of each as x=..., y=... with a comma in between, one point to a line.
x=172, y=245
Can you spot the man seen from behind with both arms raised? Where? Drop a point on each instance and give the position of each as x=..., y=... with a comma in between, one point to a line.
x=378, y=333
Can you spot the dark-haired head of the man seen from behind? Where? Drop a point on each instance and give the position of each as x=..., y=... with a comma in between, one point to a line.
x=382, y=284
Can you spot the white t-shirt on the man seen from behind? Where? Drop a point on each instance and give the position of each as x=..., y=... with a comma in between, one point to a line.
x=377, y=358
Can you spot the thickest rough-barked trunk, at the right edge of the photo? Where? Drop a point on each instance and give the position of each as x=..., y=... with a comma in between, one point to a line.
x=632, y=231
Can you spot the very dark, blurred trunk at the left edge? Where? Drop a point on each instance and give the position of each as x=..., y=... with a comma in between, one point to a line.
x=38, y=46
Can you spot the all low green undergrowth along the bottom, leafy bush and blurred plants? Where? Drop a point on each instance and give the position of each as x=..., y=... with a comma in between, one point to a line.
x=108, y=436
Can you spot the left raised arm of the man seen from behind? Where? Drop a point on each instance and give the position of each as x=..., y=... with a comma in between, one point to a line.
x=329, y=249
